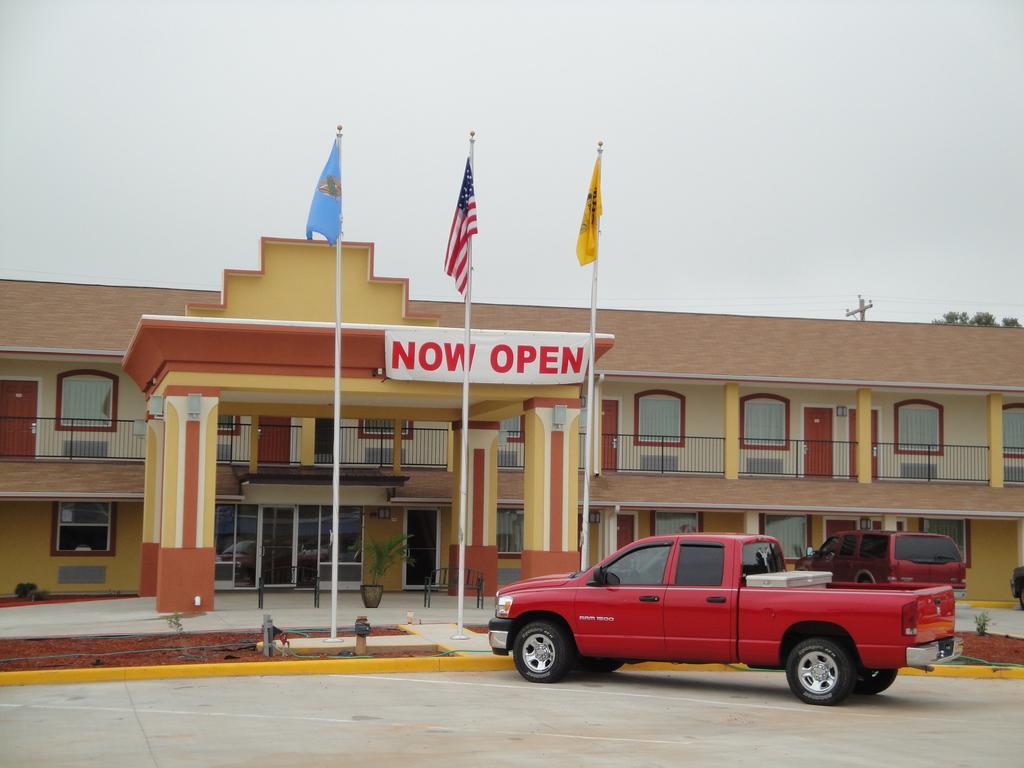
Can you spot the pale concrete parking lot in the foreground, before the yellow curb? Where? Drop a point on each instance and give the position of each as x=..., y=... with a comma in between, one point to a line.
x=496, y=719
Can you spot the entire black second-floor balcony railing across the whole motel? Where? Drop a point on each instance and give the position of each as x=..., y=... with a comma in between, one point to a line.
x=93, y=440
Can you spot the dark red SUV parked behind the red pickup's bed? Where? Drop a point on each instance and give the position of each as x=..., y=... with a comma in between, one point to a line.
x=889, y=557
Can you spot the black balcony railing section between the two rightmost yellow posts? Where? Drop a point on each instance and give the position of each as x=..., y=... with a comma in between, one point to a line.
x=913, y=462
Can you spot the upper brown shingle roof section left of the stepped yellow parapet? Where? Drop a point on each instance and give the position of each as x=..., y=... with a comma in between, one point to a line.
x=69, y=316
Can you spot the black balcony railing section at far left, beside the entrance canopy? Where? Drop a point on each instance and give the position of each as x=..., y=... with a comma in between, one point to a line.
x=27, y=438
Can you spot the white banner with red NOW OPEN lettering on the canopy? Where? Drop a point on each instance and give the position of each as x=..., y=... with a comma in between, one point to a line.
x=497, y=357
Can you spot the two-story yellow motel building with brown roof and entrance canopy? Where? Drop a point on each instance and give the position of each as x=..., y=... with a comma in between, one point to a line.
x=177, y=444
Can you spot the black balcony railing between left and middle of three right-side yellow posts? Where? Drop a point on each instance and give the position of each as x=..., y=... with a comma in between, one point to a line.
x=797, y=458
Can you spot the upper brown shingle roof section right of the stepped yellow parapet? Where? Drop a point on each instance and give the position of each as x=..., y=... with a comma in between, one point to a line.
x=789, y=349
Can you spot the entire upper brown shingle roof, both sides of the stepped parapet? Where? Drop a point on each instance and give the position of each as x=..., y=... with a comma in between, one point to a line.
x=64, y=316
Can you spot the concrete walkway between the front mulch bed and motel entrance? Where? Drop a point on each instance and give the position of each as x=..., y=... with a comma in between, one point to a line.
x=235, y=612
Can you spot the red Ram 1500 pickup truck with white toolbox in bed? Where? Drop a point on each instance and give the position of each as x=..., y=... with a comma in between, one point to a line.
x=723, y=599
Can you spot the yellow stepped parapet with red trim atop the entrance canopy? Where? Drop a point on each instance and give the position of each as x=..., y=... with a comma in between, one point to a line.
x=298, y=285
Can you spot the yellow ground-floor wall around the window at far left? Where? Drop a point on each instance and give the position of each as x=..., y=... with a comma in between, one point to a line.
x=25, y=550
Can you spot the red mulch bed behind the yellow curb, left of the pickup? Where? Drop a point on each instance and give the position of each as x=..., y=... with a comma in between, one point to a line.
x=158, y=650
